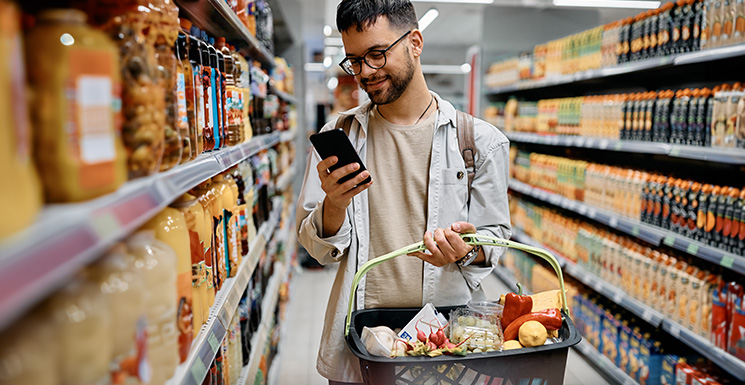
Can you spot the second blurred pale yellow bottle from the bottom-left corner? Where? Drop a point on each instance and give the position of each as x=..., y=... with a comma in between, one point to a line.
x=83, y=332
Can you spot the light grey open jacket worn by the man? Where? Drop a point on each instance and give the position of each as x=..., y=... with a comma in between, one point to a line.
x=447, y=197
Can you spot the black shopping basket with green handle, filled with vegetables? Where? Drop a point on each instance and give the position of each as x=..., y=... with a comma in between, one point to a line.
x=540, y=365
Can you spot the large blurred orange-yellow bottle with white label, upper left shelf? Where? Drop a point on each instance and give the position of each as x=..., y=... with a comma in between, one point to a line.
x=79, y=151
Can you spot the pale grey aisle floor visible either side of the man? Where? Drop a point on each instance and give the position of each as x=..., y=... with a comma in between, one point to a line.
x=309, y=290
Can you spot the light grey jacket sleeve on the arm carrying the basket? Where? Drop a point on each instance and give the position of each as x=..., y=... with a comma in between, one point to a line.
x=489, y=208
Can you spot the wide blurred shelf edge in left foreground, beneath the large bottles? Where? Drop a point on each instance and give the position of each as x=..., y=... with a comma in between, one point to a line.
x=75, y=234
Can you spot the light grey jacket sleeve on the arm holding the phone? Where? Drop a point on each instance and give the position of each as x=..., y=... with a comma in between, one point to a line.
x=309, y=219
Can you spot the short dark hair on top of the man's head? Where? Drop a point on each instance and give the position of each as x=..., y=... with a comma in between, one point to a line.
x=363, y=13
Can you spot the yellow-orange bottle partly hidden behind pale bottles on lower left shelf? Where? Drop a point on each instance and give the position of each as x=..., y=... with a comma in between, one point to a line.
x=170, y=227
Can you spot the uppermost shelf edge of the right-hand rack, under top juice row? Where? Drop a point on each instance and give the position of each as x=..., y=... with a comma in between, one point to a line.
x=705, y=56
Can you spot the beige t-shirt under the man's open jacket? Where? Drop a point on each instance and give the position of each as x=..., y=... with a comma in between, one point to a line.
x=398, y=159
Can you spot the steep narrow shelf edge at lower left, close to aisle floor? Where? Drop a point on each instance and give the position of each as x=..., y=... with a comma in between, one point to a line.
x=260, y=338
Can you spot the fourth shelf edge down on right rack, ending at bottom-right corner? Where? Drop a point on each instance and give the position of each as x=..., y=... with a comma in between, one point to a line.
x=726, y=361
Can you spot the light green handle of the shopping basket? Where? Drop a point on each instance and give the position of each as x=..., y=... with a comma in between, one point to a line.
x=471, y=239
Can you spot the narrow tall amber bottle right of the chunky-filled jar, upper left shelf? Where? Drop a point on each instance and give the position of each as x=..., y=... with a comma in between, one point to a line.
x=162, y=32
